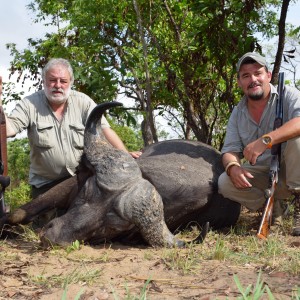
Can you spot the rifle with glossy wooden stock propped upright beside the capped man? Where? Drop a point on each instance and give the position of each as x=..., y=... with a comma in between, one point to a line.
x=266, y=220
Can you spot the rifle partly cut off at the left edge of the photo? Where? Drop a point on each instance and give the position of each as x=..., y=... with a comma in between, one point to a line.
x=4, y=179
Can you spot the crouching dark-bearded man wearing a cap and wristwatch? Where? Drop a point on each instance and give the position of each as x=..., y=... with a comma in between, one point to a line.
x=250, y=135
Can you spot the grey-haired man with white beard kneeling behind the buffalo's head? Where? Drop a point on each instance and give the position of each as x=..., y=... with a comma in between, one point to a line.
x=55, y=119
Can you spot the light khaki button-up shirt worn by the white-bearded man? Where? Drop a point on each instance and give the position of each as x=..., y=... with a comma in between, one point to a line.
x=55, y=147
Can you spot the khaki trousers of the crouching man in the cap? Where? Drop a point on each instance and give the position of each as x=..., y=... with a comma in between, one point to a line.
x=289, y=179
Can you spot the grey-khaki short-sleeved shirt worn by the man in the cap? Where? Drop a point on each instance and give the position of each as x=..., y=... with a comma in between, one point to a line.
x=242, y=129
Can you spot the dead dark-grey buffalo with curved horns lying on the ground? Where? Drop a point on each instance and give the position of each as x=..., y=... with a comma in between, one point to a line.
x=116, y=197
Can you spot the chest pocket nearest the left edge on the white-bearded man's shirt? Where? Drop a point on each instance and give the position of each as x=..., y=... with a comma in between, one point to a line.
x=44, y=135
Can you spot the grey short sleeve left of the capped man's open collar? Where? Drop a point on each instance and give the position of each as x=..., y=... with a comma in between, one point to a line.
x=233, y=142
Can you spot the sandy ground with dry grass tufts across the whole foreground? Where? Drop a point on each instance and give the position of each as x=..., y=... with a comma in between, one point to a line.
x=228, y=265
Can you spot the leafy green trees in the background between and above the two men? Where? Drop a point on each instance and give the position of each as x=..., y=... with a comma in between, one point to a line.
x=176, y=54
